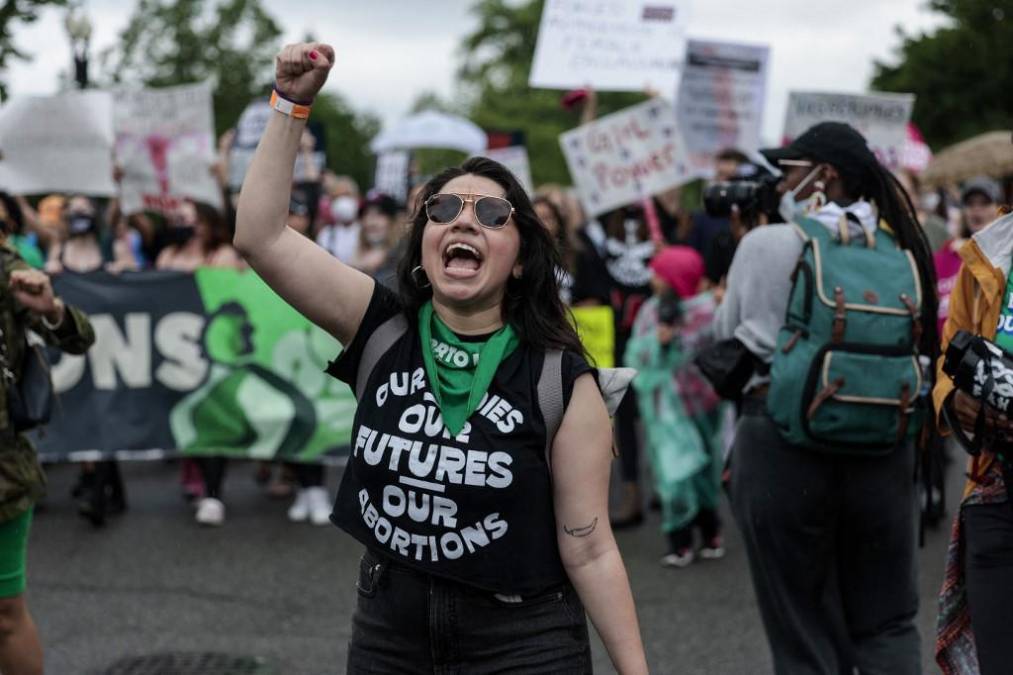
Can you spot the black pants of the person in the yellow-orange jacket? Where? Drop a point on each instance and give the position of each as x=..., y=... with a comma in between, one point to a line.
x=989, y=575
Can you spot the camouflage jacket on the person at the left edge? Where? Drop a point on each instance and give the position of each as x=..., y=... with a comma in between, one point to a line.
x=22, y=480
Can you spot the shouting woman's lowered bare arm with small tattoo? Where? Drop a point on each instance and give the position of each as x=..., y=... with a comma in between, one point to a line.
x=582, y=457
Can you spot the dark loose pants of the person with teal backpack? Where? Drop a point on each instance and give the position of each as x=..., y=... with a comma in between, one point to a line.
x=831, y=543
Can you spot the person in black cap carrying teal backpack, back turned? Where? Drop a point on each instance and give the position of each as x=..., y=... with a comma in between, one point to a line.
x=830, y=536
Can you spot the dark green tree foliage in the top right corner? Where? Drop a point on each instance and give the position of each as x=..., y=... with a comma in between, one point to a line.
x=962, y=74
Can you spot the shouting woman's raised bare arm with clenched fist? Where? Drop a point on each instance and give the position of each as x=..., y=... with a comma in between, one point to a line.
x=325, y=290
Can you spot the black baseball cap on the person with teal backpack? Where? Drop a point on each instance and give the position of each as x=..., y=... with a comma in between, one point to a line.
x=832, y=142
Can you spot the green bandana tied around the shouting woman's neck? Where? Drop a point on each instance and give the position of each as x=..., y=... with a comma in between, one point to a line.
x=460, y=371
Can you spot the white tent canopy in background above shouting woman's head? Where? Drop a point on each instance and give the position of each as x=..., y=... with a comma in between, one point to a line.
x=432, y=130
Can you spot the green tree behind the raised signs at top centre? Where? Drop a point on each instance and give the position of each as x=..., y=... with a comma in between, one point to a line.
x=498, y=58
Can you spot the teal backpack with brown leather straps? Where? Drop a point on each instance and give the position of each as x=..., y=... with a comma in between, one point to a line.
x=846, y=376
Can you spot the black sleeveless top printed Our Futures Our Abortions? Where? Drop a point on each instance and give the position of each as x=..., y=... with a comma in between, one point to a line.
x=477, y=508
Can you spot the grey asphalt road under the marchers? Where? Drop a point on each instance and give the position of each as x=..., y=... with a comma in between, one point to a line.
x=153, y=582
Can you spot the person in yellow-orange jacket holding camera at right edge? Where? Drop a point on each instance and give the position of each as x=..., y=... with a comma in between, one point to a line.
x=977, y=598
